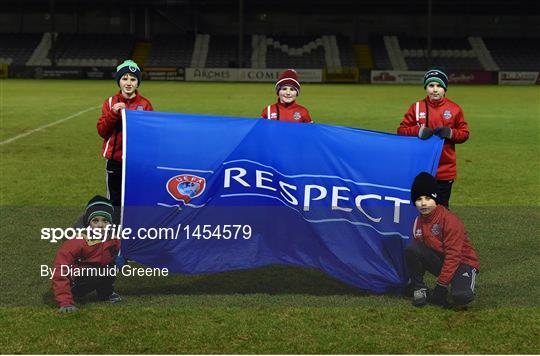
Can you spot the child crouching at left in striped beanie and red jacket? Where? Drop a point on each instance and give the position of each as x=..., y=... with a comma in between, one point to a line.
x=83, y=265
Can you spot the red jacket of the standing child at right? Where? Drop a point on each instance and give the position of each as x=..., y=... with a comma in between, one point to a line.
x=442, y=112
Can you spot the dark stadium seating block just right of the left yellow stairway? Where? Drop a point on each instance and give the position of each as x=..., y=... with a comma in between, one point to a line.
x=171, y=51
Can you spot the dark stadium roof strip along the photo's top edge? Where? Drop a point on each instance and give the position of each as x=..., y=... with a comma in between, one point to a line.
x=365, y=7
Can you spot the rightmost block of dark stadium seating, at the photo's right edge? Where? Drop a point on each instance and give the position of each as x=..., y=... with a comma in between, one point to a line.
x=515, y=54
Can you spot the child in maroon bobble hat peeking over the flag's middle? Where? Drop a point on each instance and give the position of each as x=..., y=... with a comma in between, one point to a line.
x=286, y=108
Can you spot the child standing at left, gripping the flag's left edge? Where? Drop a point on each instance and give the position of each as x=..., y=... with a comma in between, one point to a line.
x=109, y=126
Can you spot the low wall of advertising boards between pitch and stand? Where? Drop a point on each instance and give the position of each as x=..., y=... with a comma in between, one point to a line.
x=347, y=75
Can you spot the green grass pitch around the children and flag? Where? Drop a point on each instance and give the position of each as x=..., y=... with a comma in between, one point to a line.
x=48, y=176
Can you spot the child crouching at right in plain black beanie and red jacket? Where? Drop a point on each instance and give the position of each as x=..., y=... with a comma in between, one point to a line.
x=441, y=247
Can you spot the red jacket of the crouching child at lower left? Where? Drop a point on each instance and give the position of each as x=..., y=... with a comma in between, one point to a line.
x=80, y=253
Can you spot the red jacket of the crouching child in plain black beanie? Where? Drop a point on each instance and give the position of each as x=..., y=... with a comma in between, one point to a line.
x=444, y=232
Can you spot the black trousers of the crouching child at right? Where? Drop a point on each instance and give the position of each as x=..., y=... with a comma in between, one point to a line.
x=420, y=258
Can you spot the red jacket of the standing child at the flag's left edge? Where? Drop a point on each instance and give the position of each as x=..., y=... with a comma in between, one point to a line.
x=110, y=123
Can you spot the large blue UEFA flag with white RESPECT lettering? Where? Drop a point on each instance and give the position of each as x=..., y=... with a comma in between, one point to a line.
x=208, y=194
